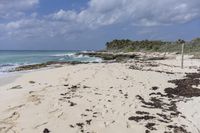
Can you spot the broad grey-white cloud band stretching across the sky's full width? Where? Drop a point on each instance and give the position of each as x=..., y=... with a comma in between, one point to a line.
x=97, y=14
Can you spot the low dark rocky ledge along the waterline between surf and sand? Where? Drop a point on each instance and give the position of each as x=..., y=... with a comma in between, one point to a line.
x=105, y=56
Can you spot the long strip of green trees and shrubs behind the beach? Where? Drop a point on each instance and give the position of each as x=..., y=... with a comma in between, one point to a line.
x=152, y=46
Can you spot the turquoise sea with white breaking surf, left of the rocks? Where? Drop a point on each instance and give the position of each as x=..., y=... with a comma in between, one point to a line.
x=11, y=59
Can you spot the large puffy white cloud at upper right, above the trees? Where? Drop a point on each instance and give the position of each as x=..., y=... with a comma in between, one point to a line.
x=138, y=12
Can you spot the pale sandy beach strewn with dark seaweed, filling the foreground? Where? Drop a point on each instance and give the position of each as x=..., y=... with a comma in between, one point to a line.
x=127, y=97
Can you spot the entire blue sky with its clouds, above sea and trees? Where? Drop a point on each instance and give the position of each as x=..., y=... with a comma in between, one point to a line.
x=89, y=24
